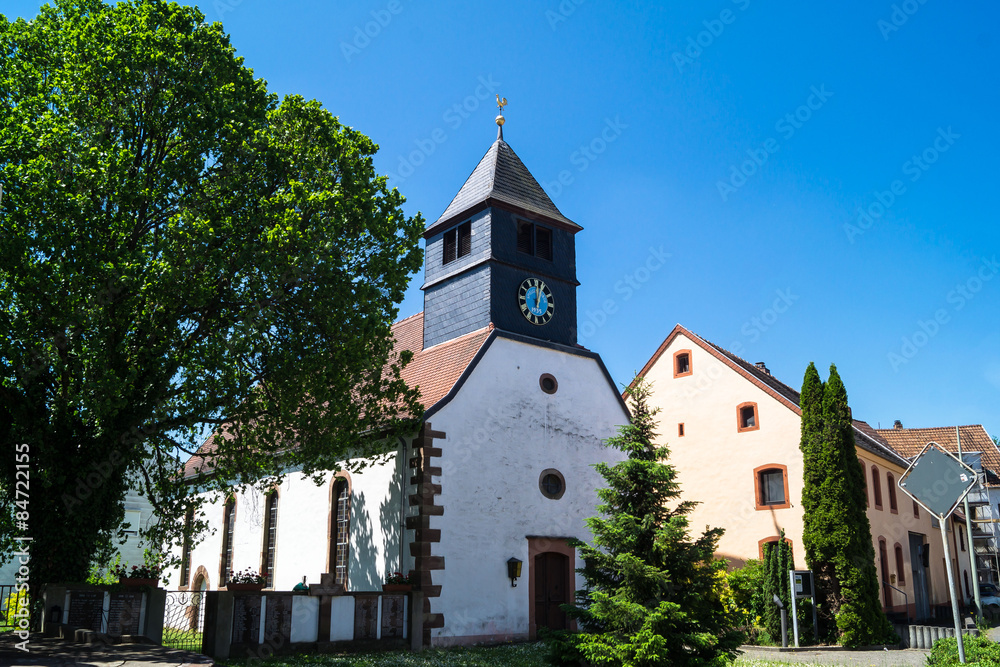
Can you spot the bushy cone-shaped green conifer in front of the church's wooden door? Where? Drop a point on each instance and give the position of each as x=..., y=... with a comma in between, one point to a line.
x=654, y=593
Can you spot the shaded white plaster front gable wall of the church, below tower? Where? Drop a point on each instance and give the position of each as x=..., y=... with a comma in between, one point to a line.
x=502, y=432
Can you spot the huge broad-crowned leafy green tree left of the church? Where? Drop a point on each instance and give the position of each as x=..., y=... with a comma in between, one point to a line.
x=181, y=251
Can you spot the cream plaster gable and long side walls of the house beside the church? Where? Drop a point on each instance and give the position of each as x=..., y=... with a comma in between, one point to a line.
x=715, y=466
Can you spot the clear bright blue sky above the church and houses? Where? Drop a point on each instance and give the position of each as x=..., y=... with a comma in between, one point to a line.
x=819, y=174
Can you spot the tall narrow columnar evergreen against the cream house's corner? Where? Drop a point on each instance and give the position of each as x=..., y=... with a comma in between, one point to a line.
x=836, y=532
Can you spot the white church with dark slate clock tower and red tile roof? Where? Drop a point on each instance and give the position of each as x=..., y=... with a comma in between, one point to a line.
x=477, y=505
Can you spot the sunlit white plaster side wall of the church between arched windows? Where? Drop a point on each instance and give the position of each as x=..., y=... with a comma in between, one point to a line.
x=303, y=530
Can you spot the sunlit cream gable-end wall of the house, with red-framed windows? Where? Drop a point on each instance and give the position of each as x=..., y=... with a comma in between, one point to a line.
x=715, y=462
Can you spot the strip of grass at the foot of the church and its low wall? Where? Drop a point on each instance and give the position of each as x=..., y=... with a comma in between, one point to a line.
x=508, y=655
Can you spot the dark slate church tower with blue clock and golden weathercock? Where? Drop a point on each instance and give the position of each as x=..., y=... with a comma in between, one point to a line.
x=501, y=253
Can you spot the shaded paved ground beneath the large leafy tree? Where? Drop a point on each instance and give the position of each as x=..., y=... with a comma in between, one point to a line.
x=59, y=653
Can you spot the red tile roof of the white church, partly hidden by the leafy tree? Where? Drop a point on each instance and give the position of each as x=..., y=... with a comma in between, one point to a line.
x=434, y=371
